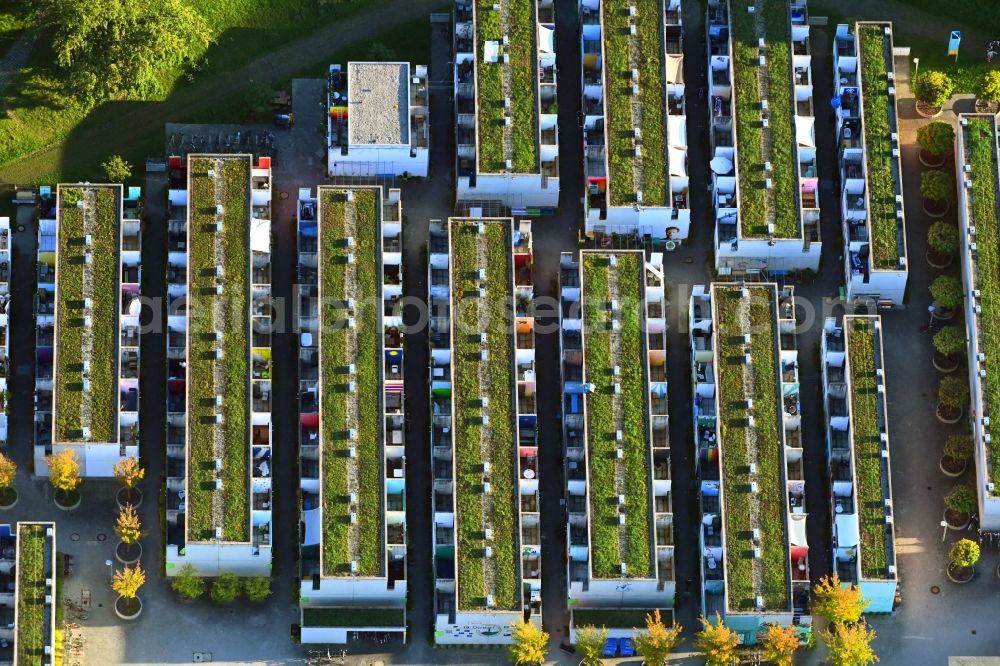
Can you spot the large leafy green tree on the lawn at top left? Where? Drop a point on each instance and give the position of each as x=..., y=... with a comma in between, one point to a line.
x=121, y=48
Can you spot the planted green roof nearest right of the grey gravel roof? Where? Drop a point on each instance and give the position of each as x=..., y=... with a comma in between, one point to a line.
x=522, y=32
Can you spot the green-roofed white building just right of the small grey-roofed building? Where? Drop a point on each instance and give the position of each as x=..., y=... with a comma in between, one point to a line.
x=506, y=122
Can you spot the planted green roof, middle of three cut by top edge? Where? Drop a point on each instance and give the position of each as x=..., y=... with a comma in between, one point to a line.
x=648, y=48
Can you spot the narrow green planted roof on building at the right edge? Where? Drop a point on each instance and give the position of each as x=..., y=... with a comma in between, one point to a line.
x=981, y=144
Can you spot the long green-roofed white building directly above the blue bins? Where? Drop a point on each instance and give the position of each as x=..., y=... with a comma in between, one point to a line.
x=617, y=433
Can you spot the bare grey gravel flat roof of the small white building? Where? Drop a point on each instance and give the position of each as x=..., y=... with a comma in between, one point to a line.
x=379, y=103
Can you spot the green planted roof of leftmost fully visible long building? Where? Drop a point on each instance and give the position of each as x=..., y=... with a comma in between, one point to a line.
x=76, y=343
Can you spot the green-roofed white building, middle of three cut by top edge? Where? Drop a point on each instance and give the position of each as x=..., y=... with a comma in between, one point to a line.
x=635, y=121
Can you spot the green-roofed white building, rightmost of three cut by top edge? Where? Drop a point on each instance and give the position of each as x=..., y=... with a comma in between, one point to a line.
x=763, y=139
